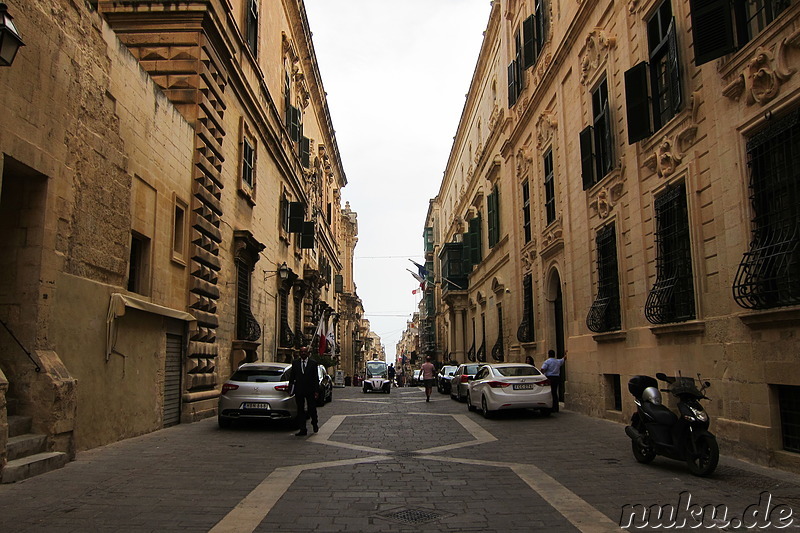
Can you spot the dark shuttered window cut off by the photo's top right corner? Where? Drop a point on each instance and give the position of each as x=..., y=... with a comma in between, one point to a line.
x=723, y=26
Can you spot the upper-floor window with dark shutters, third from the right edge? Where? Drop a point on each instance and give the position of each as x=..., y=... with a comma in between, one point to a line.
x=596, y=140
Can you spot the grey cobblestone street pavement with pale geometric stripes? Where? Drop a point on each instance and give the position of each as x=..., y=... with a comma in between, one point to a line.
x=388, y=463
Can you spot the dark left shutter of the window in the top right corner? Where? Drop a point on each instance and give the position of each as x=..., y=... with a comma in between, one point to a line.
x=712, y=29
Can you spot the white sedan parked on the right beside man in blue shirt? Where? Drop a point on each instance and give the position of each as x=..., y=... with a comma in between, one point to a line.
x=509, y=386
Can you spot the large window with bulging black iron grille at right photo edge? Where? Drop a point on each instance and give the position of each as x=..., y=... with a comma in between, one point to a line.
x=769, y=273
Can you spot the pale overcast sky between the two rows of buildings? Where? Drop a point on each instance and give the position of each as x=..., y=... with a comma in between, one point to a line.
x=396, y=73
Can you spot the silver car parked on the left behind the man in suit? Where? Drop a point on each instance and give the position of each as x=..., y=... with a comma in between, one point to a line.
x=257, y=390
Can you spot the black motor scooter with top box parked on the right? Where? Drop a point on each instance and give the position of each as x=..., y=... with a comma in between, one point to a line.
x=656, y=430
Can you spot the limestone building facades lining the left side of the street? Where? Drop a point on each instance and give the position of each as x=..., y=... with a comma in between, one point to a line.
x=170, y=192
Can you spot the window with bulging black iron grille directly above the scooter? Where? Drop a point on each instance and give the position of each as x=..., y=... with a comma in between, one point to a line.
x=671, y=299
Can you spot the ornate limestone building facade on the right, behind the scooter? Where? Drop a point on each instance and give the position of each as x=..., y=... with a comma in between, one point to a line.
x=622, y=186
